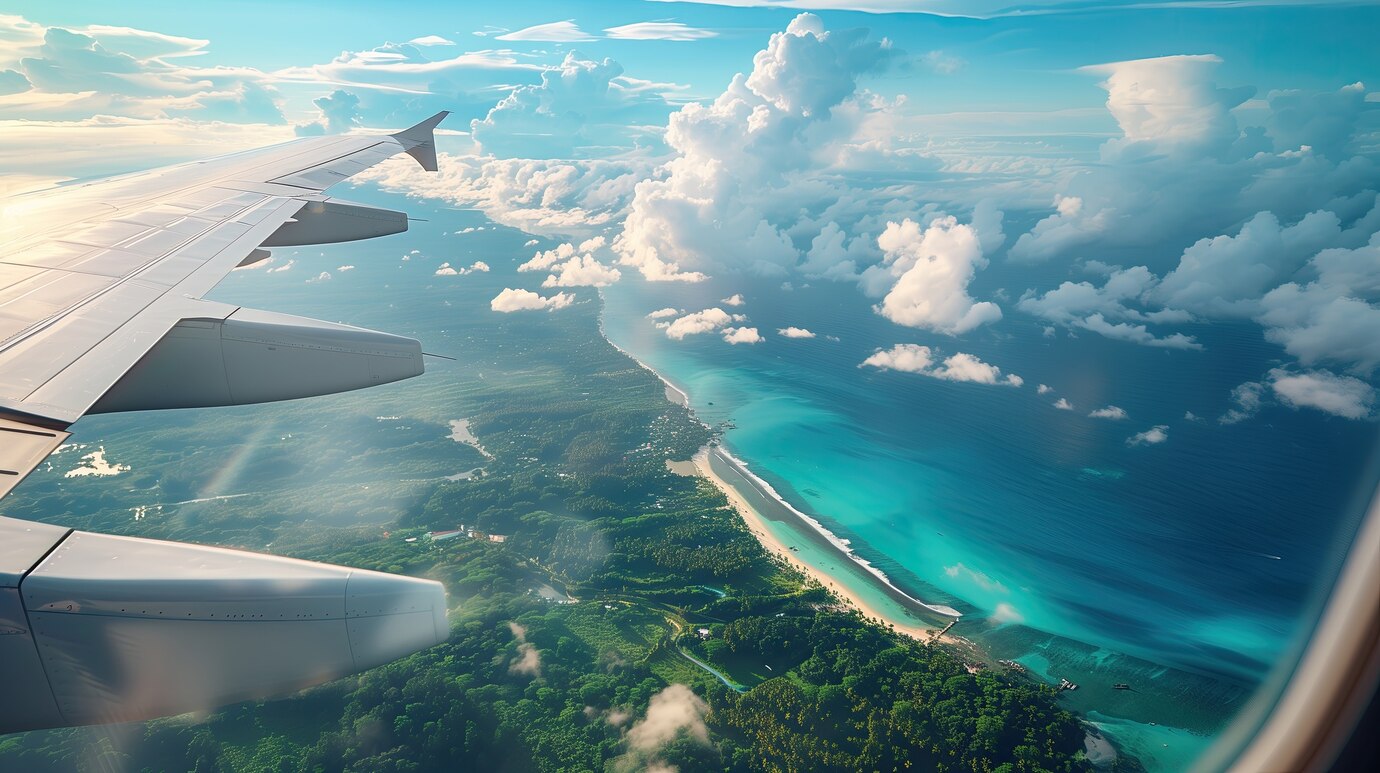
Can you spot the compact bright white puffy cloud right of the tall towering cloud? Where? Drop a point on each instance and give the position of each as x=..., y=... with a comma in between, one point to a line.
x=934, y=268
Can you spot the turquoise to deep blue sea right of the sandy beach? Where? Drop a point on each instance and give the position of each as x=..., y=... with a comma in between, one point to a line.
x=1187, y=568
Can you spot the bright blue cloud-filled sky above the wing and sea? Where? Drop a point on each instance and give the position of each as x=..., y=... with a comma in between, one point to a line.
x=1159, y=165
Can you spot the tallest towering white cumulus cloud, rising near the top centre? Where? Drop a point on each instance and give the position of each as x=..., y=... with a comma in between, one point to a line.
x=736, y=183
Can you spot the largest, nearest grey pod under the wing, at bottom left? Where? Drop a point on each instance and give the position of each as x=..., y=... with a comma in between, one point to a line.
x=97, y=629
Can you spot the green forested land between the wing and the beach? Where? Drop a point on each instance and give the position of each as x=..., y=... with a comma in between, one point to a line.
x=629, y=622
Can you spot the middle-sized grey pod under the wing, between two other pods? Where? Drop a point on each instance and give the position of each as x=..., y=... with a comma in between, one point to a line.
x=256, y=357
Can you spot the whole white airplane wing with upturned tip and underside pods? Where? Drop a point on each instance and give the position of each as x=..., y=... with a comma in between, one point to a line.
x=101, y=310
